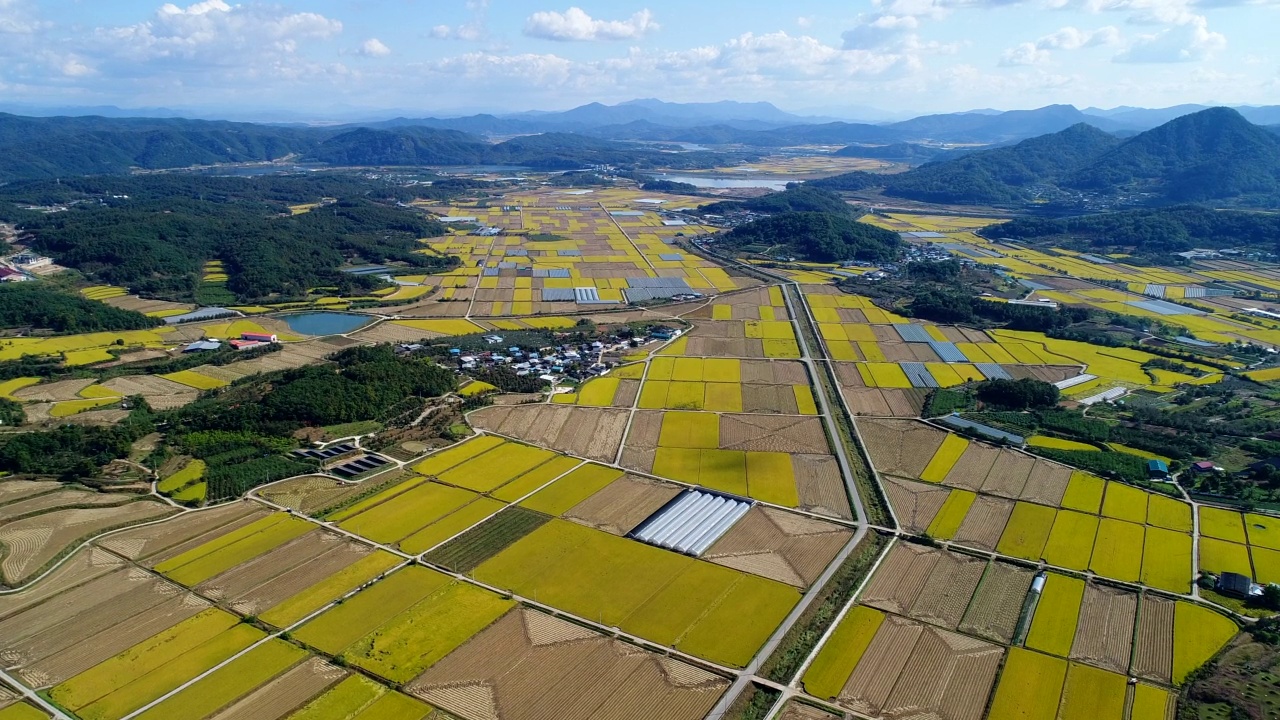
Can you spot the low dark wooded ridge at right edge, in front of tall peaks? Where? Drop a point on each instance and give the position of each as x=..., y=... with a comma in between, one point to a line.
x=1149, y=233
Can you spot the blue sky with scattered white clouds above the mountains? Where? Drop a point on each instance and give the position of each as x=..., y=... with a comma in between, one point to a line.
x=331, y=58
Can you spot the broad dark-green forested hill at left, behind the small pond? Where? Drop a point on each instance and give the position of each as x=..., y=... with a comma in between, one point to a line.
x=154, y=234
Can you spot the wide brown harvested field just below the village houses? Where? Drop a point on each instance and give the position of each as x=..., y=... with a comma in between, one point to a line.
x=588, y=432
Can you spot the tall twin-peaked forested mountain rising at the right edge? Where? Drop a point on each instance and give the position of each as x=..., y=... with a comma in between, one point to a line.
x=1213, y=156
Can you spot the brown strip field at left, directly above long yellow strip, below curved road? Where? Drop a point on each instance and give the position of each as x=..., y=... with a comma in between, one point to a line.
x=157, y=544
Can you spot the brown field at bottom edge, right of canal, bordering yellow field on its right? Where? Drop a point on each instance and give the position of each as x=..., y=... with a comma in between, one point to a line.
x=948, y=676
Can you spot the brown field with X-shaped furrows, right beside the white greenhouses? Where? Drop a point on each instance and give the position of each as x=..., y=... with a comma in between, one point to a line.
x=779, y=545
